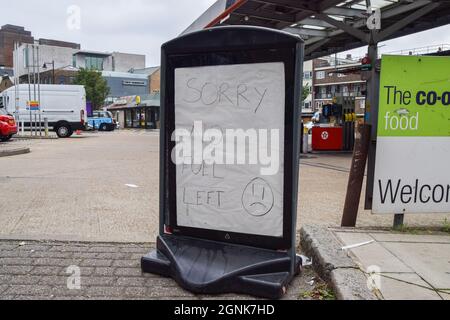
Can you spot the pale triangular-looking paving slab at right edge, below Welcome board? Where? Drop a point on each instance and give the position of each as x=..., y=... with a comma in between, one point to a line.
x=430, y=260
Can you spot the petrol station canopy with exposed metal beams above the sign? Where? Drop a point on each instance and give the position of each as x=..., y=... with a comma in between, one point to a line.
x=330, y=26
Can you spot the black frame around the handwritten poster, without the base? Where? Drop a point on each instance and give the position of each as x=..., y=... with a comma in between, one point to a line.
x=246, y=45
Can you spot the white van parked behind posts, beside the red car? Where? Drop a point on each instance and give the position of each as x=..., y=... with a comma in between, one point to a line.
x=63, y=105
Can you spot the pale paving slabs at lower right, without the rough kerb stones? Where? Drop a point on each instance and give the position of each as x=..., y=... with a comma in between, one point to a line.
x=404, y=266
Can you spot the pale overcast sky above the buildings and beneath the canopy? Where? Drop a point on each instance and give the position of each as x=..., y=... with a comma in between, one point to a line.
x=138, y=26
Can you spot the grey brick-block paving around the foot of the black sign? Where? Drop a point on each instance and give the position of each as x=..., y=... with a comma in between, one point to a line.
x=118, y=277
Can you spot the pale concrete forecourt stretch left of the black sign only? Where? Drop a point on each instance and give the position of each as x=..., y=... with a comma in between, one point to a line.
x=75, y=189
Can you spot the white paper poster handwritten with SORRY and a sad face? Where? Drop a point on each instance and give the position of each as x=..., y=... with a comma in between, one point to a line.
x=235, y=114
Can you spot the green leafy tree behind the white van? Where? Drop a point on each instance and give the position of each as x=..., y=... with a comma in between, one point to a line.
x=96, y=87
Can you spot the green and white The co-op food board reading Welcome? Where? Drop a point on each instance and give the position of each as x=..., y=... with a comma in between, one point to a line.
x=412, y=173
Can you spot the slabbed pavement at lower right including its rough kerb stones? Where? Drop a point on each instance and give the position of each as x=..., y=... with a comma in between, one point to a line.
x=364, y=263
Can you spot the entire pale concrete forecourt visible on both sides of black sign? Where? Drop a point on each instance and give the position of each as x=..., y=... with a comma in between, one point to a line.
x=76, y=190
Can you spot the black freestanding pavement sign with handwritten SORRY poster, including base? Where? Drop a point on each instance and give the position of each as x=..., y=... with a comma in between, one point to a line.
x=229, y=157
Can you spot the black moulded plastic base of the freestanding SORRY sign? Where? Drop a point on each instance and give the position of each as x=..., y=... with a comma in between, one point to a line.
x=208, y=267
